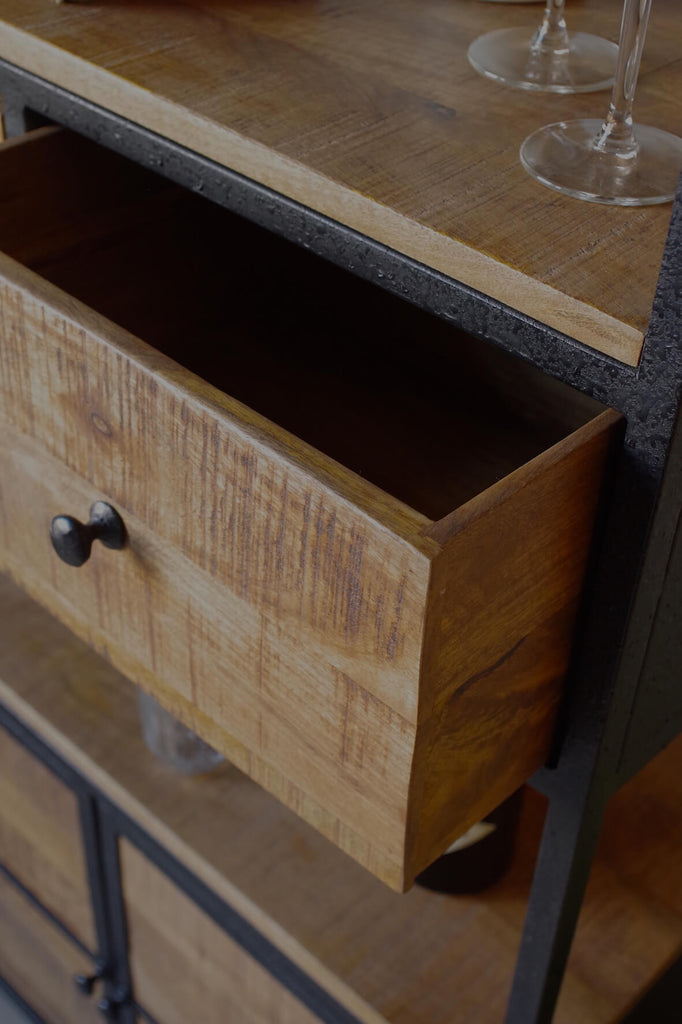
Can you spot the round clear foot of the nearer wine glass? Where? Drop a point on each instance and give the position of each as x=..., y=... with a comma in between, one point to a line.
x=564, y=157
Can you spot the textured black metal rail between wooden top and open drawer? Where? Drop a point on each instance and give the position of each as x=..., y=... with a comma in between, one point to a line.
x=593, y=373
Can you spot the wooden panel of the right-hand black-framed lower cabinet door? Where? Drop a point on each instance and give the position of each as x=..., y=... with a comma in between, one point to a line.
x=185, y=967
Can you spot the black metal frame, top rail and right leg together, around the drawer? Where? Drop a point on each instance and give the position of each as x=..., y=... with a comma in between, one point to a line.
x=613, y=676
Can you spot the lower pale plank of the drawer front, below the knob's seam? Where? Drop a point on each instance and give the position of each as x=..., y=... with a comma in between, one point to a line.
x=162, y=622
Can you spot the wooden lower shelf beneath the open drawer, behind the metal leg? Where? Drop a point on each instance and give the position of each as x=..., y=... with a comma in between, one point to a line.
x=394, y=959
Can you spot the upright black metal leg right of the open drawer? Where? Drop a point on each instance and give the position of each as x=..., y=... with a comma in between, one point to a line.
x=622, y=607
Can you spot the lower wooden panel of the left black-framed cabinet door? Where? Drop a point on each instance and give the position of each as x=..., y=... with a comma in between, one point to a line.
x=40, y=963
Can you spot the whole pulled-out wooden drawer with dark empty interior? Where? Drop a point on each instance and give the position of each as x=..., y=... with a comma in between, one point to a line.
x=356, y=538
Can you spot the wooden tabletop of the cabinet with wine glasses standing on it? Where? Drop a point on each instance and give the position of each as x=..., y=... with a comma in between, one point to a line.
x=371, y=114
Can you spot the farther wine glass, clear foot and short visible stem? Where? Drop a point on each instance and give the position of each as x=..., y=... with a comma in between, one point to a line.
x=552, y=61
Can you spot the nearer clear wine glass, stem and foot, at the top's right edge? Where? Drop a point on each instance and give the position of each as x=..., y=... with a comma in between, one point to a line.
x=612, y=161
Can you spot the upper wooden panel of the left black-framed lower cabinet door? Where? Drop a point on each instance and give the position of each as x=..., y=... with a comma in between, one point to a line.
x=41, y=841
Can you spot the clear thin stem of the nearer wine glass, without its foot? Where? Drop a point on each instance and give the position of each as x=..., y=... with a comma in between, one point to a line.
x=617, y=136
